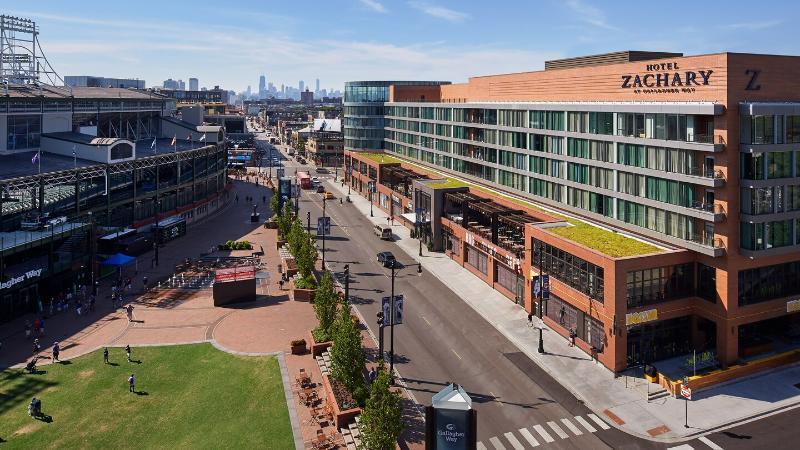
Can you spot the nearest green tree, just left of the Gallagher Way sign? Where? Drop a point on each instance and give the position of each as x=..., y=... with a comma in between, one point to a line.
x=382, y=418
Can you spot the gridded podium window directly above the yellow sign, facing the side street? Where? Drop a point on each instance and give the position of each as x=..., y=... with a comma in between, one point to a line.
x=650, y=286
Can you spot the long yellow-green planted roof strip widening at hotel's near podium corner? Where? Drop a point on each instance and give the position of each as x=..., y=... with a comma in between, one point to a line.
x=613, y=244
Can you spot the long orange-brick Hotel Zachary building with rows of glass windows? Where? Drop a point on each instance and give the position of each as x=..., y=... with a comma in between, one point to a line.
x=659, y=192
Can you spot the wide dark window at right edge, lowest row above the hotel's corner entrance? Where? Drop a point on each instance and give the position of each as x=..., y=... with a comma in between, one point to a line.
x=767, y=283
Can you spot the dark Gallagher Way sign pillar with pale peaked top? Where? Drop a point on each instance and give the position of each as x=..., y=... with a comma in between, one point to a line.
x=450, y=421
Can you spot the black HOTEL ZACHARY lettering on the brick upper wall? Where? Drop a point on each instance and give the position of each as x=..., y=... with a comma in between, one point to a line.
x=666, y=78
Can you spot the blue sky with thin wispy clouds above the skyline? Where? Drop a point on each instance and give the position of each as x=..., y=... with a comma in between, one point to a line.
x=232, y=43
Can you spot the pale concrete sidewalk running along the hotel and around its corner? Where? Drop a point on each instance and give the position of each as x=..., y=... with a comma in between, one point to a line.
x=623, y=400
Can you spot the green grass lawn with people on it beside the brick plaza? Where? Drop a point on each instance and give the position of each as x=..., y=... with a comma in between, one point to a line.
x=191, y=396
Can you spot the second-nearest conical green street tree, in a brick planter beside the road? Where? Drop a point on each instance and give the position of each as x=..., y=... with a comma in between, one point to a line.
x=347, y=355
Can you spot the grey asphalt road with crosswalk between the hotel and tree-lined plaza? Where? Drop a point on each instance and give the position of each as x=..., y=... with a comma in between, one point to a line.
x=443, y=340
